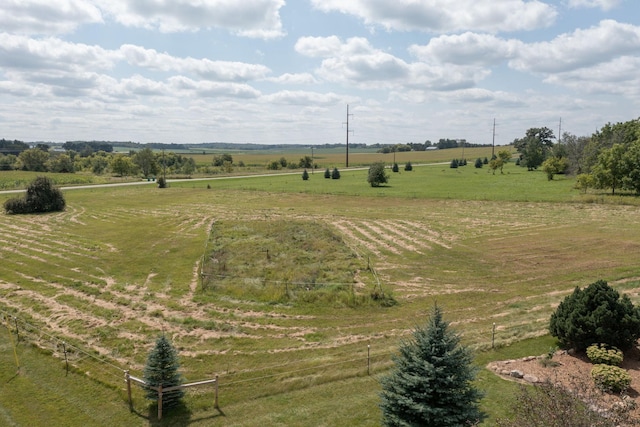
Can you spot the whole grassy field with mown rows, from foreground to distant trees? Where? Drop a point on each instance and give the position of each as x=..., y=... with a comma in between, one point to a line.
x=295, y=293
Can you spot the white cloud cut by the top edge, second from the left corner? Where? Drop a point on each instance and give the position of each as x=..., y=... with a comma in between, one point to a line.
x=249, y=18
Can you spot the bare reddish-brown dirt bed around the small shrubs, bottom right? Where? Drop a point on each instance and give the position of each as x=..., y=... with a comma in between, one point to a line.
x=571, y=369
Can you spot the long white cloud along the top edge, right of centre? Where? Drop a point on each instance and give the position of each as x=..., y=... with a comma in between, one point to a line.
x=446, y=15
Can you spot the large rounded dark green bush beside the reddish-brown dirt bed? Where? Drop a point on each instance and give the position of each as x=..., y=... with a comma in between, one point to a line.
x=596, y=314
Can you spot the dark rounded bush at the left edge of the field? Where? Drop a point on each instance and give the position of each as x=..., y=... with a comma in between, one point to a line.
x=41, y=196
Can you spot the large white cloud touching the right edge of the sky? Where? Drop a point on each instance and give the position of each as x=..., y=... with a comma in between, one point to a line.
x=580, y=49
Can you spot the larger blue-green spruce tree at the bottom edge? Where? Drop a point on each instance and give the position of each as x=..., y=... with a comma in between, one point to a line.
x=431, y=382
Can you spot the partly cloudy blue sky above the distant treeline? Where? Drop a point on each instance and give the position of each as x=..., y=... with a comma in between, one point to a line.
x=296, y=71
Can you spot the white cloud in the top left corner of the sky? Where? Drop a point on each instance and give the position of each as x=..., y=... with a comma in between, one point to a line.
x=46, y=17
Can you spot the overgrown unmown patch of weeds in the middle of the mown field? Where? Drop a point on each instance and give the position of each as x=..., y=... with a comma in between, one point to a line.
x=285, y=262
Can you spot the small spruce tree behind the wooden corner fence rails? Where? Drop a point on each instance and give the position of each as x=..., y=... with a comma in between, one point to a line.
x=162, y=369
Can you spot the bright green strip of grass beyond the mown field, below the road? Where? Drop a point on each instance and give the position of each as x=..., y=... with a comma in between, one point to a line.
x=434, y=181
